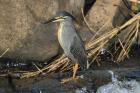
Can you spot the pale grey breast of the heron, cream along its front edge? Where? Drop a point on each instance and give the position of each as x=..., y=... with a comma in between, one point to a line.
x=65, y=35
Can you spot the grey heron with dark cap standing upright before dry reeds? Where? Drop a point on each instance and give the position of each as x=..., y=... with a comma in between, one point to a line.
x=70, y=41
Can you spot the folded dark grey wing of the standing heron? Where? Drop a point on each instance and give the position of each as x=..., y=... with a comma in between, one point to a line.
x=78, y=51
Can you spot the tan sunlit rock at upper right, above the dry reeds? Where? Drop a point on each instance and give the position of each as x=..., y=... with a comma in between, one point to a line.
x=106, y=12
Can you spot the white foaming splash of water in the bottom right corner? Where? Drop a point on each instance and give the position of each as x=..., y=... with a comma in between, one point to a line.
x=117, y=86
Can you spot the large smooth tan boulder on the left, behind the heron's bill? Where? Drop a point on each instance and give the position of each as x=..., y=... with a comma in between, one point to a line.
x=22, y=32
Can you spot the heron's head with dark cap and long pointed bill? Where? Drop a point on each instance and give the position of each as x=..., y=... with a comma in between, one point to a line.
x=60, y=16
